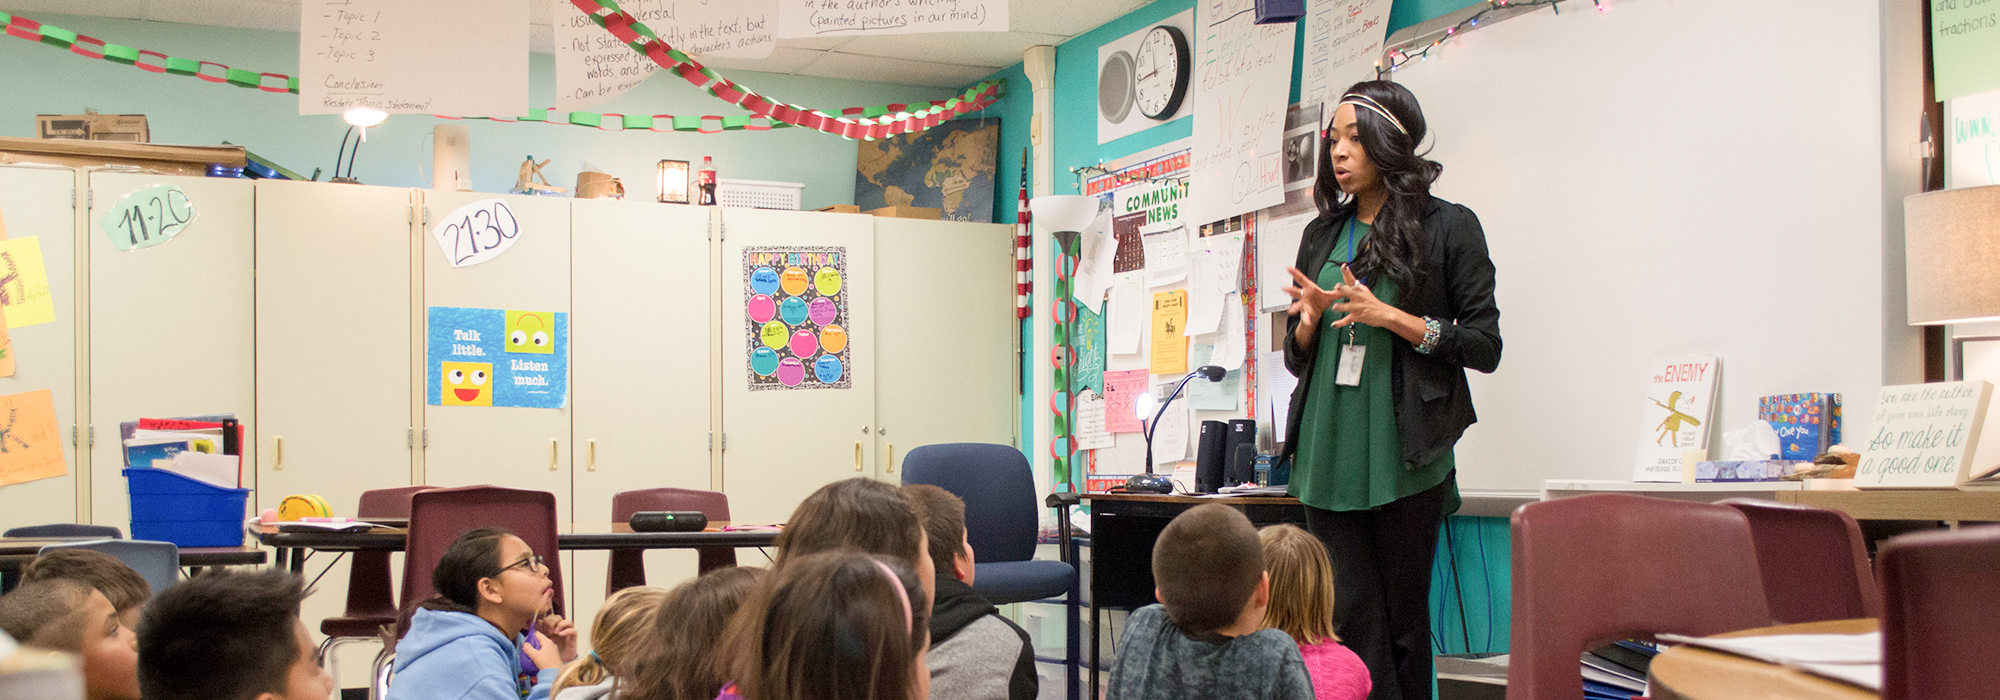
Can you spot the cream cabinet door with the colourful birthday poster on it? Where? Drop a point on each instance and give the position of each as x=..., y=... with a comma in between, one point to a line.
x=785, y=443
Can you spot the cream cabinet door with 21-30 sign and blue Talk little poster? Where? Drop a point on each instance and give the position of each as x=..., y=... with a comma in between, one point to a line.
x=499, y=445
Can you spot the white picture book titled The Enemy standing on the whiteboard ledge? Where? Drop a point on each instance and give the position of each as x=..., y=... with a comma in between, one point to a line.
x=1675, y=415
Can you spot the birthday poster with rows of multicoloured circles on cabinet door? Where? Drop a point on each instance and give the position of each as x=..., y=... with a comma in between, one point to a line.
x=797, y=319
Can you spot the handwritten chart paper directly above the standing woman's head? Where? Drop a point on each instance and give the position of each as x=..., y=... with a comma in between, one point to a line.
x=1343, y=43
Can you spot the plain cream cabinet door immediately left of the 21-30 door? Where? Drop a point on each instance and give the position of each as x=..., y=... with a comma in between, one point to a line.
x=333, y=335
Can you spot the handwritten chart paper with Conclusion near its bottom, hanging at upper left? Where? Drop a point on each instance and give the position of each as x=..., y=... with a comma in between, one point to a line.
x=413, y=57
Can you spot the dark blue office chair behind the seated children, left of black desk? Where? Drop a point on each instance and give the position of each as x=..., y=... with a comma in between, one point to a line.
x=1001, y=517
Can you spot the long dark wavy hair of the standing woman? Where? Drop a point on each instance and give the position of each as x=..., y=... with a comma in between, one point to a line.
x=1397, y=249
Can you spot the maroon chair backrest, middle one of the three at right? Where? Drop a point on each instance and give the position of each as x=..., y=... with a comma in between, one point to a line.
x=1815, y=563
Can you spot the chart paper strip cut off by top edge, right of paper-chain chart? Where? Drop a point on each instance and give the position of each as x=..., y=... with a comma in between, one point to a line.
x=801, y=19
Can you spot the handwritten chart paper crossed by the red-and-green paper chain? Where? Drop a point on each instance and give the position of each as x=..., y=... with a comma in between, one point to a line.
x=593, y=67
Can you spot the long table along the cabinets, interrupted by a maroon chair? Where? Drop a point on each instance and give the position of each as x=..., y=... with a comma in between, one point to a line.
x=293, y=547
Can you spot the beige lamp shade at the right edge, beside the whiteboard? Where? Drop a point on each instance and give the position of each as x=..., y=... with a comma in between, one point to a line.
x=1953, y=247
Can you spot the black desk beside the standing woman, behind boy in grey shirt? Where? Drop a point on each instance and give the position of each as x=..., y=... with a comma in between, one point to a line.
x=1123, y=529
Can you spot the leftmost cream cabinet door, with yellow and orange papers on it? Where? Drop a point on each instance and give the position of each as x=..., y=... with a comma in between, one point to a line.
x=35, y=203
